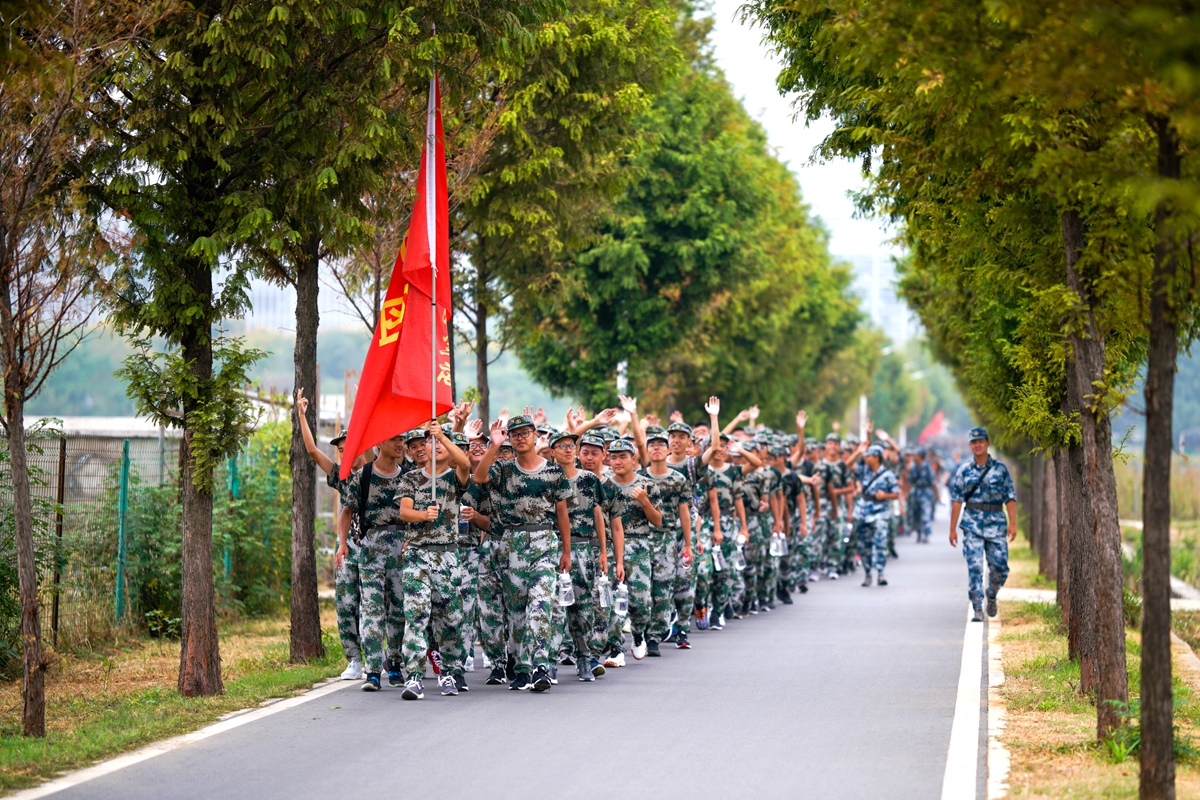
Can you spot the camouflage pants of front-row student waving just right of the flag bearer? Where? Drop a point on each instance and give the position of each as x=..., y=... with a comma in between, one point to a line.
x=532, y=557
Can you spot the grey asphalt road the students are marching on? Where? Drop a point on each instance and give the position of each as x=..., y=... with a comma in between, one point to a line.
x=848, y=694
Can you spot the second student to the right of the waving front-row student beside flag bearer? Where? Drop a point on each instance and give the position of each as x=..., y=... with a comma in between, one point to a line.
x=637, y=513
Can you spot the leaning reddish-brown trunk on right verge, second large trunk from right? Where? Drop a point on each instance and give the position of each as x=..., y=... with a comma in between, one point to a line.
x=1100, y=488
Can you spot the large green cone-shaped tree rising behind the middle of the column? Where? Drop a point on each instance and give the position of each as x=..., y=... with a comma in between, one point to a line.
x=707, y=276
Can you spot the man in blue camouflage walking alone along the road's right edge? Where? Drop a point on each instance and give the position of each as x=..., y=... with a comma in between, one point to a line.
x=985, y=486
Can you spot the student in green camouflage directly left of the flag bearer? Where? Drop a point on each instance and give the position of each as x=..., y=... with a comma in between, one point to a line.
x=379, y=510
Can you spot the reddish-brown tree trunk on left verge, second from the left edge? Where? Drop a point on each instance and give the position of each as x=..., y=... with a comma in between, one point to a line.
x=200, y=655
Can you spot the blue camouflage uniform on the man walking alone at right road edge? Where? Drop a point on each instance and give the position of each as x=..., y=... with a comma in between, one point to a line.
x=985, y=525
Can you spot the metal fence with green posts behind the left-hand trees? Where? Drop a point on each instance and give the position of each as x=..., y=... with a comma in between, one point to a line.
x=86, y=484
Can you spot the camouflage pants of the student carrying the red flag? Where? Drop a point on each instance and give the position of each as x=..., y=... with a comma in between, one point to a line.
x=433, y=606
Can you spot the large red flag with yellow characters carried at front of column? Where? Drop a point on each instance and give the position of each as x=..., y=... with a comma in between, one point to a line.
x=397, y=390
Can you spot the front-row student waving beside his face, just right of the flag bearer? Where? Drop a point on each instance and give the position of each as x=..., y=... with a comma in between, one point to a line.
x=531, y=502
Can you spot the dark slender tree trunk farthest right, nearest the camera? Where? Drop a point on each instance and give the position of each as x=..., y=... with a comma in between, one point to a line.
x=1157, y=779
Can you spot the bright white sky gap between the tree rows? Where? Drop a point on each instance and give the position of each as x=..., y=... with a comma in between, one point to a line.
x=752, y=70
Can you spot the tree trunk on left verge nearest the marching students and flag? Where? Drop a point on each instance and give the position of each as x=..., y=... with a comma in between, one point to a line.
x=305, y=640
